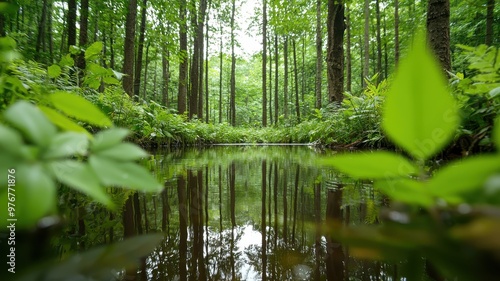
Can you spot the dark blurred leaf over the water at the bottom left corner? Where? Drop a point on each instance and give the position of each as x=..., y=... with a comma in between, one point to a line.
x=99, y=263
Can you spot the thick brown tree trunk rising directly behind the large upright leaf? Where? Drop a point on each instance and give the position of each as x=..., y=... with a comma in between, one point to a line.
x=438, y=30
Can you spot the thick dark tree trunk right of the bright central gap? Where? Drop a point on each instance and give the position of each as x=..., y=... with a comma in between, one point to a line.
x=335, y=57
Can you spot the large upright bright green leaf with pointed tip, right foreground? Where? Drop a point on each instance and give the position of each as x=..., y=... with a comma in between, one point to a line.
x=420, y=114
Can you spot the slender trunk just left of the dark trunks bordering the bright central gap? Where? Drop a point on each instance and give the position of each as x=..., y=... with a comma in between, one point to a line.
x=183, y=65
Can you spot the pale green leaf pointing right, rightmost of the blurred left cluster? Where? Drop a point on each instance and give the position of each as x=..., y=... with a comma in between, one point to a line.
x=124, y=174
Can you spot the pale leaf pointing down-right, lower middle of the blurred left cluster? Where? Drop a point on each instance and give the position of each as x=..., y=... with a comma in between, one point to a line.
x=82, y=178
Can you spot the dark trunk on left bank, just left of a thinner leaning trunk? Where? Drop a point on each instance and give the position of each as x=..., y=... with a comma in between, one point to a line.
x=128, y=56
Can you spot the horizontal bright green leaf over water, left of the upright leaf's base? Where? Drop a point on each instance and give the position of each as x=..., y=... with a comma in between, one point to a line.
x=374, y=165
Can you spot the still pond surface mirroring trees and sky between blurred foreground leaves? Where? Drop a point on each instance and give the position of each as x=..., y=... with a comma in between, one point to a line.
x=252, y=213
